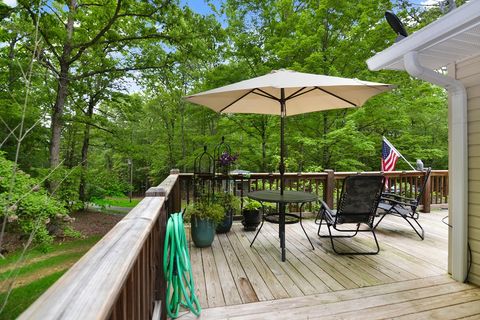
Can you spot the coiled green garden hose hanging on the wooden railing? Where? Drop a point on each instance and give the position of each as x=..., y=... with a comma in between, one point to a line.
x=178, y=270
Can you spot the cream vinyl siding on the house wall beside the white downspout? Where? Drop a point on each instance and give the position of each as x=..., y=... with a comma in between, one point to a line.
x=468, y=72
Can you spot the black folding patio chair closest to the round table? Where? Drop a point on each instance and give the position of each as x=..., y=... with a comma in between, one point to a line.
x=358, y=205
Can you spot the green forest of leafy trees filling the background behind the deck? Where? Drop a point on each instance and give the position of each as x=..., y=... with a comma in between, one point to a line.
x=92, y=92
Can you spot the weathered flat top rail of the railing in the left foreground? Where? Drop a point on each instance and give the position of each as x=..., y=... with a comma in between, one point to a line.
x=89, y=289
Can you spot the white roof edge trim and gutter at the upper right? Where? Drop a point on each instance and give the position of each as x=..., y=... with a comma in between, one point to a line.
x=452, y=24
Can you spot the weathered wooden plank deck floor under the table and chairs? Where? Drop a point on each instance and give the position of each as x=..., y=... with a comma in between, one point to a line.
x=406, y=279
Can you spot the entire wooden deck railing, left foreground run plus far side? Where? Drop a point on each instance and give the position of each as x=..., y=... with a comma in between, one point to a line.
x=121, y=277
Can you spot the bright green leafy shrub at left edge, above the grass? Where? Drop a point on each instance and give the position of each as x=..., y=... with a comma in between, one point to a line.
x=27, y=206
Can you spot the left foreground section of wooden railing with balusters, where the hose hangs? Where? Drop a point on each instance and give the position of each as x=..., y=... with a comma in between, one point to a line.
x=121, y=277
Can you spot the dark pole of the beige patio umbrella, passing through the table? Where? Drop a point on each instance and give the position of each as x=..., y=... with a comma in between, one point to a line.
x=281, y=217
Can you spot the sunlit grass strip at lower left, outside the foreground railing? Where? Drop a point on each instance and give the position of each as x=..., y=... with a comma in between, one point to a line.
x=38, y=272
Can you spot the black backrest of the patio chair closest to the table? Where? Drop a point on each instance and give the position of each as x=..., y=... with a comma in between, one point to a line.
x=359, y=199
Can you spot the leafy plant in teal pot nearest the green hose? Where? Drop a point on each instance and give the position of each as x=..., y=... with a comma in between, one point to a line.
x=203, y=216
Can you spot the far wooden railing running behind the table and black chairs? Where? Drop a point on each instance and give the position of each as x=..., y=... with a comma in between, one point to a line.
x=328, y=185
